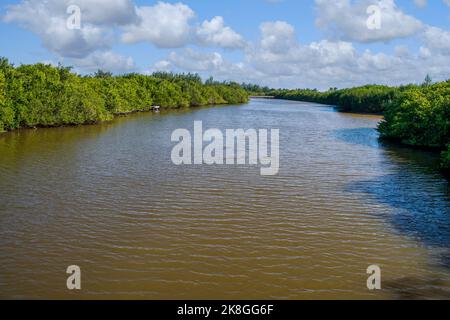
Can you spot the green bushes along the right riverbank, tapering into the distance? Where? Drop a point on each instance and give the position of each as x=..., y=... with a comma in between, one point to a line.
x=414, y=115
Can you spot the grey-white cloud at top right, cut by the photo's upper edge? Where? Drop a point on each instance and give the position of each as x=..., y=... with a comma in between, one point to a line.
x=347, y=20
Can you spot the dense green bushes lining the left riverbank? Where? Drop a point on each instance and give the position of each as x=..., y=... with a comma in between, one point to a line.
x=43, y=95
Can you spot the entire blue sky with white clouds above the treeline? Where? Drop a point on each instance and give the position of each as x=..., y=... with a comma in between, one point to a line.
x=277, y=43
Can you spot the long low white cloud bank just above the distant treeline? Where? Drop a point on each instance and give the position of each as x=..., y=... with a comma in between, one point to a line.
x=318, y=64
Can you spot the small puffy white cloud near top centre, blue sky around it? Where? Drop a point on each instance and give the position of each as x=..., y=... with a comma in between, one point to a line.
x=215, y=33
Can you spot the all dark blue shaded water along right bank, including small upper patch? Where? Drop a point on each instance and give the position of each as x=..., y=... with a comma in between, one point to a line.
x=422, y=213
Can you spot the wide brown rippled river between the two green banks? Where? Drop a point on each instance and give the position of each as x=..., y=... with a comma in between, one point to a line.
x=109, y=199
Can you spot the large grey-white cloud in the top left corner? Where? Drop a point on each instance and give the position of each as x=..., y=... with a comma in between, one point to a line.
x=49, y=21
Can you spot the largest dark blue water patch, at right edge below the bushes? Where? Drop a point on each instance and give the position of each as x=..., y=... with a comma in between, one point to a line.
x=420, y=203
